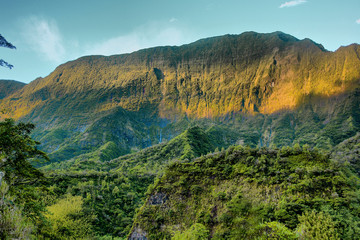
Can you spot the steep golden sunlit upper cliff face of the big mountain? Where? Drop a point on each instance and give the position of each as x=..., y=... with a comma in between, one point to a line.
x=250, y=72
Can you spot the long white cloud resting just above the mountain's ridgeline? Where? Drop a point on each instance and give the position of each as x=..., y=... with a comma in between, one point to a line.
x=150, y=35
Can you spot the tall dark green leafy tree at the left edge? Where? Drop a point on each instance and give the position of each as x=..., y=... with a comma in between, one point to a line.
x=18, y=153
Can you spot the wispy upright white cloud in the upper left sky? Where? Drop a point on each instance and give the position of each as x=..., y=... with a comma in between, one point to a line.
x=43, y=36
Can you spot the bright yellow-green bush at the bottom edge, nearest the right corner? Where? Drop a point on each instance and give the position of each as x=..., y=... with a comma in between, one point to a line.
x=317, y=225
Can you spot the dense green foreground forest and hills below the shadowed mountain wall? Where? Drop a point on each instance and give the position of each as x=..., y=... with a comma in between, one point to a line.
x=184, y=193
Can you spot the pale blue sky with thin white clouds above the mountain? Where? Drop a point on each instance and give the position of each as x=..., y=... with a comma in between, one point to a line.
x=48, y=33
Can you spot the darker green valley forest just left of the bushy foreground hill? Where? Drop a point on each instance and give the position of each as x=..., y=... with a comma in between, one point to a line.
x=112, y=199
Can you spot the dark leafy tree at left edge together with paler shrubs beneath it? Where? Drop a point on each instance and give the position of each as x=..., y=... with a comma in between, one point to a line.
x=17, y=205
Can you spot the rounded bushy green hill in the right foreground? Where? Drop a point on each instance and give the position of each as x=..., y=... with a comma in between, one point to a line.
x=243, y=193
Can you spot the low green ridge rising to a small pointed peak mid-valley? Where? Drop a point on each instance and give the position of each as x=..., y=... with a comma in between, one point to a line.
x=192, y=143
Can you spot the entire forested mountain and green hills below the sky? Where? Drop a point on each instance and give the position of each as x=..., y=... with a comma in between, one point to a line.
x=251, y=136
